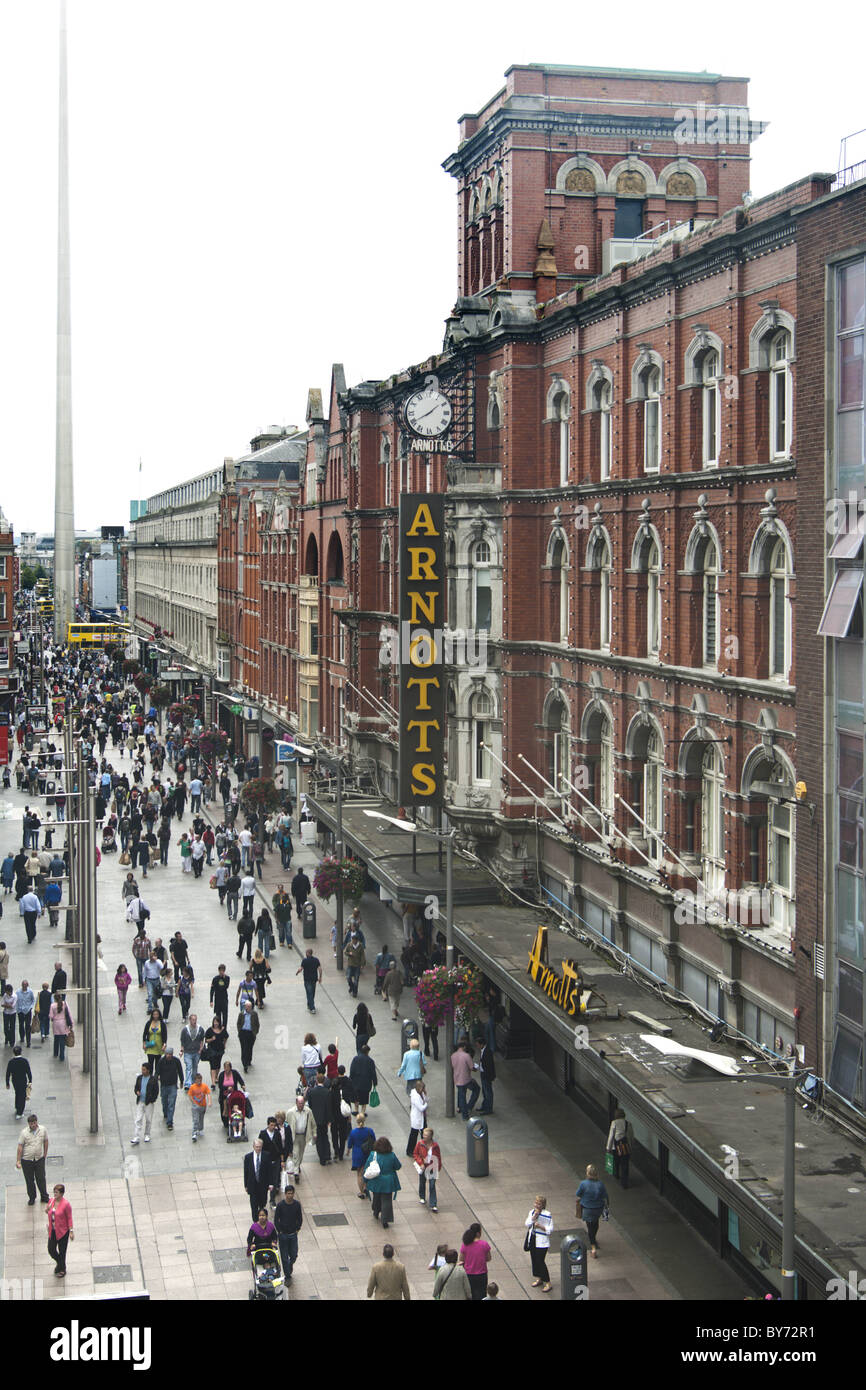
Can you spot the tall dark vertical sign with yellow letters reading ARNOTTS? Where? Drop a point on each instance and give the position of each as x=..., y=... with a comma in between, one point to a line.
x=422, y=650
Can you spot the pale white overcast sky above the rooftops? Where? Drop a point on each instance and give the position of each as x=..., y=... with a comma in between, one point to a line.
x=256, y=193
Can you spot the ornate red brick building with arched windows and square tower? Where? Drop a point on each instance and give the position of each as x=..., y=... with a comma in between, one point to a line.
x=621, y=461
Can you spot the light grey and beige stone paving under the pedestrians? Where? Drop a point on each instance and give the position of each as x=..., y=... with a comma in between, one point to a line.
x=173, y=1217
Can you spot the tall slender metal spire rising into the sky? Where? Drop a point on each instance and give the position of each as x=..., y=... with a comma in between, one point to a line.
x=65, y=505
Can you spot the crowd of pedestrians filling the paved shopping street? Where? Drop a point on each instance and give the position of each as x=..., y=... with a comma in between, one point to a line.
x=136, y=812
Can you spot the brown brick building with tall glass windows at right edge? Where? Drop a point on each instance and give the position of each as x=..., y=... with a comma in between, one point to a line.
x=832, y=297
